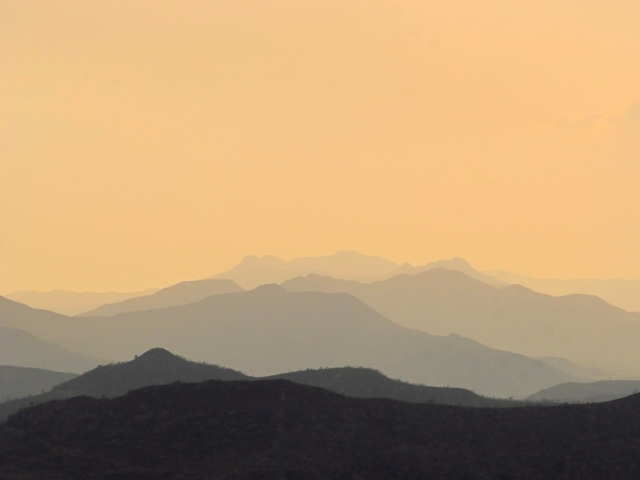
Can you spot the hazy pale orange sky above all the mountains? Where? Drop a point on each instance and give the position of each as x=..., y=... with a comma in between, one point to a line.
x=145, y=143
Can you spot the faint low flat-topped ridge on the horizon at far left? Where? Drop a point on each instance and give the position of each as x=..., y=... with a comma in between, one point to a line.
x=71, y=303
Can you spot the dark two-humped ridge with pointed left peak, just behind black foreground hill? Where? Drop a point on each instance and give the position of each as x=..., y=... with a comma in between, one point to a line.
x=160, y=367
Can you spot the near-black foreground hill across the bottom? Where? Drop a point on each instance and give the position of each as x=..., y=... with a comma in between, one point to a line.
x=280, y=430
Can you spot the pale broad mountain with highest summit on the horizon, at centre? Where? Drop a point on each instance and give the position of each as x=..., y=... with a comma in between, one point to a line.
x=254, y=271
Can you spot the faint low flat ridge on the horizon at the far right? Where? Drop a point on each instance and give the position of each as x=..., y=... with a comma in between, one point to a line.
x=620, y=292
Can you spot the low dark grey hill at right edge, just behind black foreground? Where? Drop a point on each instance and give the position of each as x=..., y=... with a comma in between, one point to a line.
x=602, y=391
